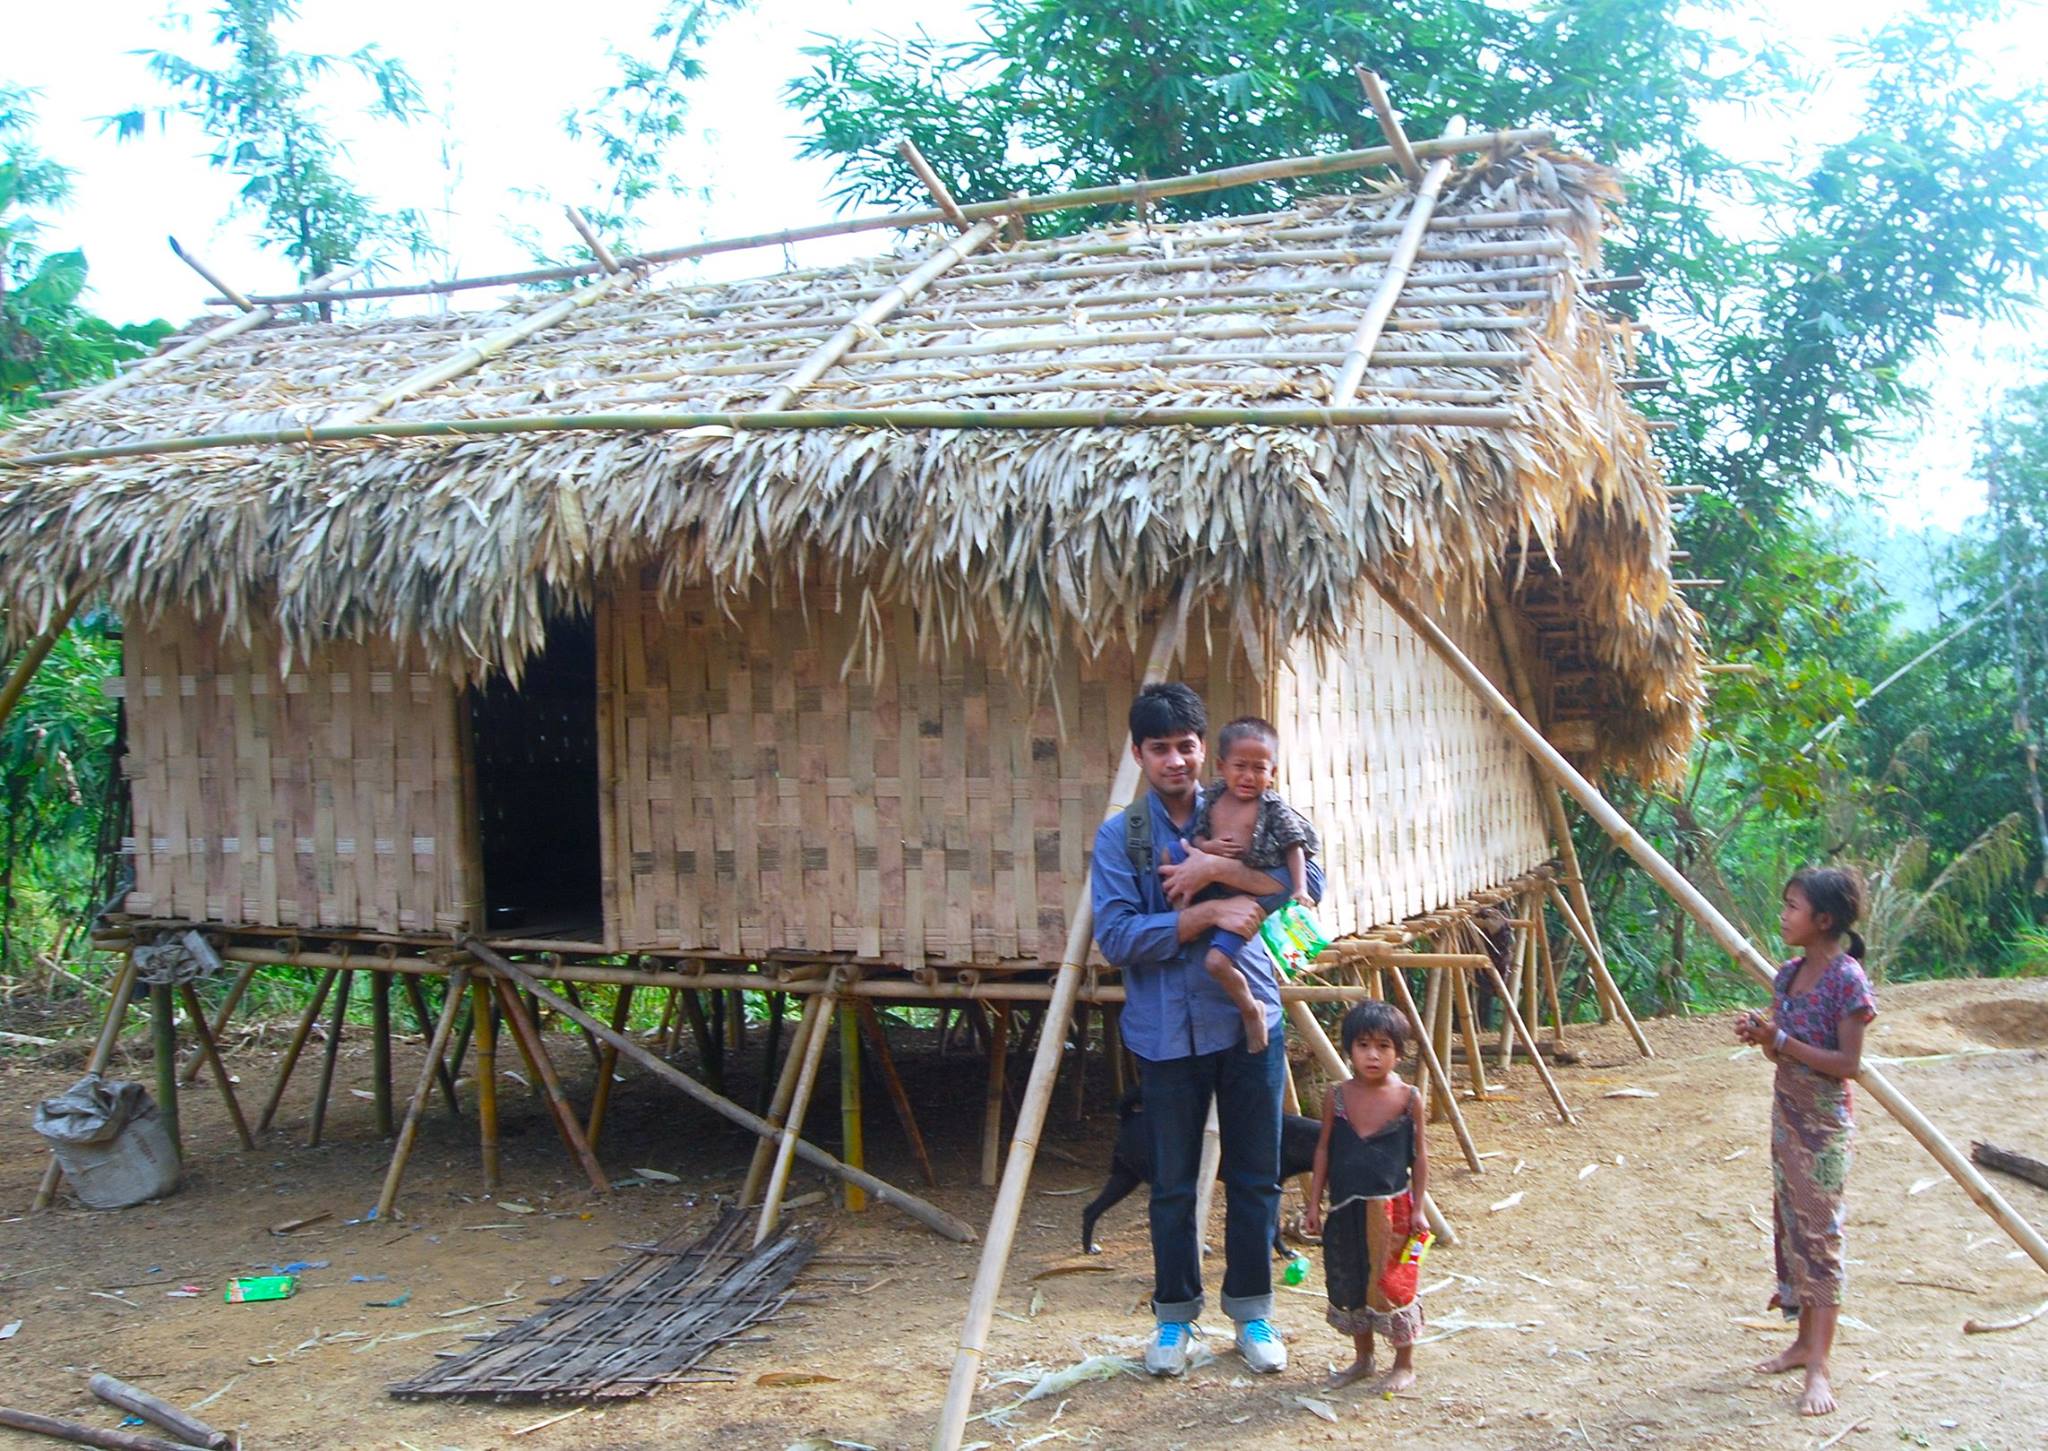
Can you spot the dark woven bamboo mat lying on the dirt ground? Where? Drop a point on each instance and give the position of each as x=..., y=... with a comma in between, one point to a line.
x=646, y=1325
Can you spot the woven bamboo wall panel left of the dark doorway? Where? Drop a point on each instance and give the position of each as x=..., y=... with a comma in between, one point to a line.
x=321, y=798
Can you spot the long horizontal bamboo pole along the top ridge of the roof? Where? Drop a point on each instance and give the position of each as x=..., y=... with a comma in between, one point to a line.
x=1279, y=169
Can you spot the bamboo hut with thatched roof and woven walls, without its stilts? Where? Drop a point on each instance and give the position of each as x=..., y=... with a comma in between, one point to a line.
x=855, y=692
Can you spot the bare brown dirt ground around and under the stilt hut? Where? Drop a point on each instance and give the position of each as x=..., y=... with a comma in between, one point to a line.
x=1619, y=1302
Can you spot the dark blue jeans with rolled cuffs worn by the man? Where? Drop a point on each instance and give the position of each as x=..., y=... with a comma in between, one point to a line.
x=1246, y=1089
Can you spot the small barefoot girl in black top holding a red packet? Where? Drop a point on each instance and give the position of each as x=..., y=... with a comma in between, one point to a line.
x=1375, y=1165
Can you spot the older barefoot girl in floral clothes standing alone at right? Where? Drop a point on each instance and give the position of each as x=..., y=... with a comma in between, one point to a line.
x=1822, y=1005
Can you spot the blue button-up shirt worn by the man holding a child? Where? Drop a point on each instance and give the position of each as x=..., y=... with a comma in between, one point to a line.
x=1172, y=1007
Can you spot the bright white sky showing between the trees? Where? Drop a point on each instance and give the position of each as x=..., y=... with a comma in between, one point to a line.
x=505, y=85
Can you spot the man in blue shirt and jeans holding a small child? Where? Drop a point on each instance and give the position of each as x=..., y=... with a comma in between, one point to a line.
x=1189, y=1038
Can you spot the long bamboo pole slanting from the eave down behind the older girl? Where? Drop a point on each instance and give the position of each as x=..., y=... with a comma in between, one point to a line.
x=1707, y=915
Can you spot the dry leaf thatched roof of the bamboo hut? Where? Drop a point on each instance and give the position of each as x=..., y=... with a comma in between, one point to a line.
x=1019, y=536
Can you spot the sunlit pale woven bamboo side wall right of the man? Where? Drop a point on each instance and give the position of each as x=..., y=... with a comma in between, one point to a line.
x=1418, y=794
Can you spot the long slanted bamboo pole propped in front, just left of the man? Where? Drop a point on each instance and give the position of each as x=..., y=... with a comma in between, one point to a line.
x=1043, y=1071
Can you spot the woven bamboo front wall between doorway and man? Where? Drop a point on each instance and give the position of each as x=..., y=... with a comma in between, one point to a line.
x=761, y=800
